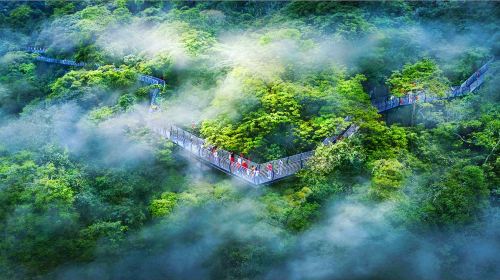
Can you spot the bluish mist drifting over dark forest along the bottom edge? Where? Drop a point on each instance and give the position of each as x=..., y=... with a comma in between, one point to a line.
x=354, y=241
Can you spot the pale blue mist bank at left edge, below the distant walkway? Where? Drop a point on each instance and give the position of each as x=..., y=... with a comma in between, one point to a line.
x=68, y=126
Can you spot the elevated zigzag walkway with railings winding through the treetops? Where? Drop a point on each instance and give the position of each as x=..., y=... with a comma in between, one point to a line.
x=271, y=171
